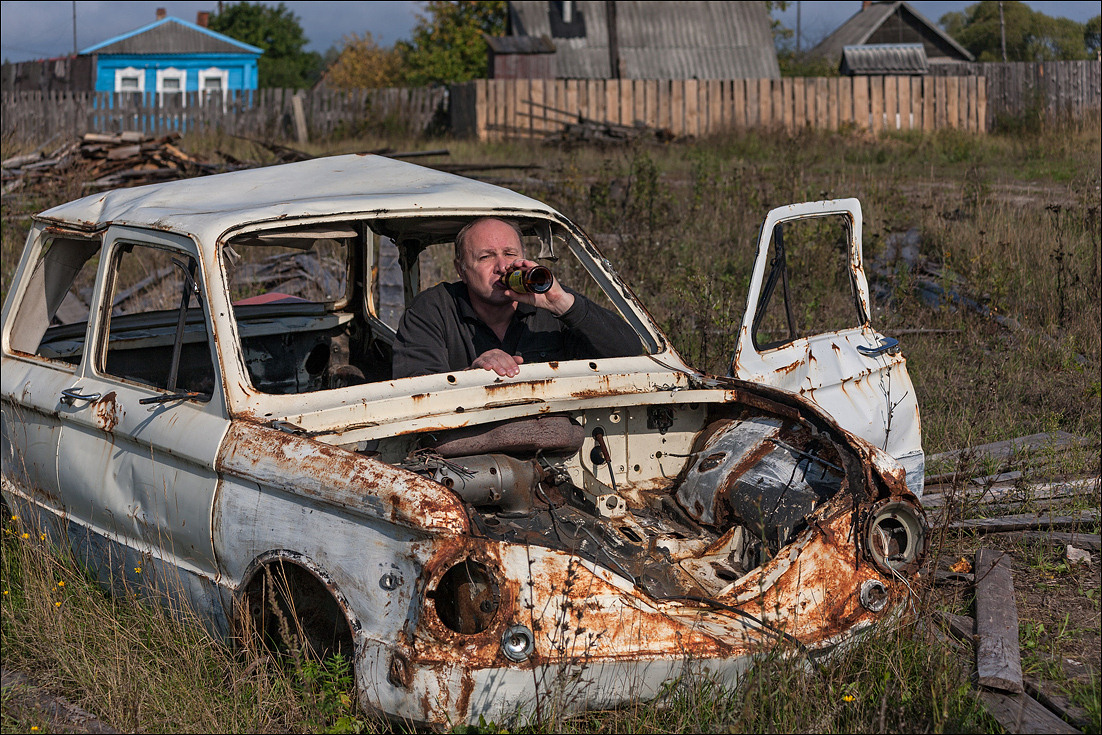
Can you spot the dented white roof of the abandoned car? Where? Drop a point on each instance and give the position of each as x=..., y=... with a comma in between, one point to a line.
x=208, y=207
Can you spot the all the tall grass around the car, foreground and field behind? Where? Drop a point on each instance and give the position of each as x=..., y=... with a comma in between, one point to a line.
x=1009, y=221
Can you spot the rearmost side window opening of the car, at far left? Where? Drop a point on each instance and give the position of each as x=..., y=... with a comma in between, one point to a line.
x=53, y=317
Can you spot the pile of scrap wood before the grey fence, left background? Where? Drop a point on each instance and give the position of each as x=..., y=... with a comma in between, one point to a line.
x=106, y=161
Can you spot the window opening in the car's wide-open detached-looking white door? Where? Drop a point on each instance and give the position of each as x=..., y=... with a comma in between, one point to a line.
x=809, y=287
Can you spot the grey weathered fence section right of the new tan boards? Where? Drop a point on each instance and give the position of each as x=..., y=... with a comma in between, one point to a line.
x=1057, y=90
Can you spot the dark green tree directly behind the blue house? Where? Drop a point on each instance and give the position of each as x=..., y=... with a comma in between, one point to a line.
x=277, y=30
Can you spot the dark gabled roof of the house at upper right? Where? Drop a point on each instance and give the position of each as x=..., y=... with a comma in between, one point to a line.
x=865, y=26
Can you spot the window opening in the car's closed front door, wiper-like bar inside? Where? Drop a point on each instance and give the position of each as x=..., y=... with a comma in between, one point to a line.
x=157, y=333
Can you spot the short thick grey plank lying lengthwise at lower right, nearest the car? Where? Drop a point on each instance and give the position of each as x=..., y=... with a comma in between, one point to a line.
x=998, y=658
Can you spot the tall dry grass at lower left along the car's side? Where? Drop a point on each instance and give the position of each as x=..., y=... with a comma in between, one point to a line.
x=142, y=667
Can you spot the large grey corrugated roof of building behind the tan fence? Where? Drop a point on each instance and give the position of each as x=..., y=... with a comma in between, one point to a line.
x=661, y=40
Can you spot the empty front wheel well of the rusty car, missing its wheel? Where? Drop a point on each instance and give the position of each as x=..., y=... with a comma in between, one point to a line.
x=294, y=611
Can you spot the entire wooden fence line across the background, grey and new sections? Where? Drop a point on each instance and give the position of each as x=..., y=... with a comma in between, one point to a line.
x=532, y=109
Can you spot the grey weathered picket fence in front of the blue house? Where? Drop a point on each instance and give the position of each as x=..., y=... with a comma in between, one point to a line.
x=264, y=114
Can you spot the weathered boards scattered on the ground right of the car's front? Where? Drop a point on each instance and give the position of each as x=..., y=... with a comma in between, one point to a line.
x=1002, y=502
